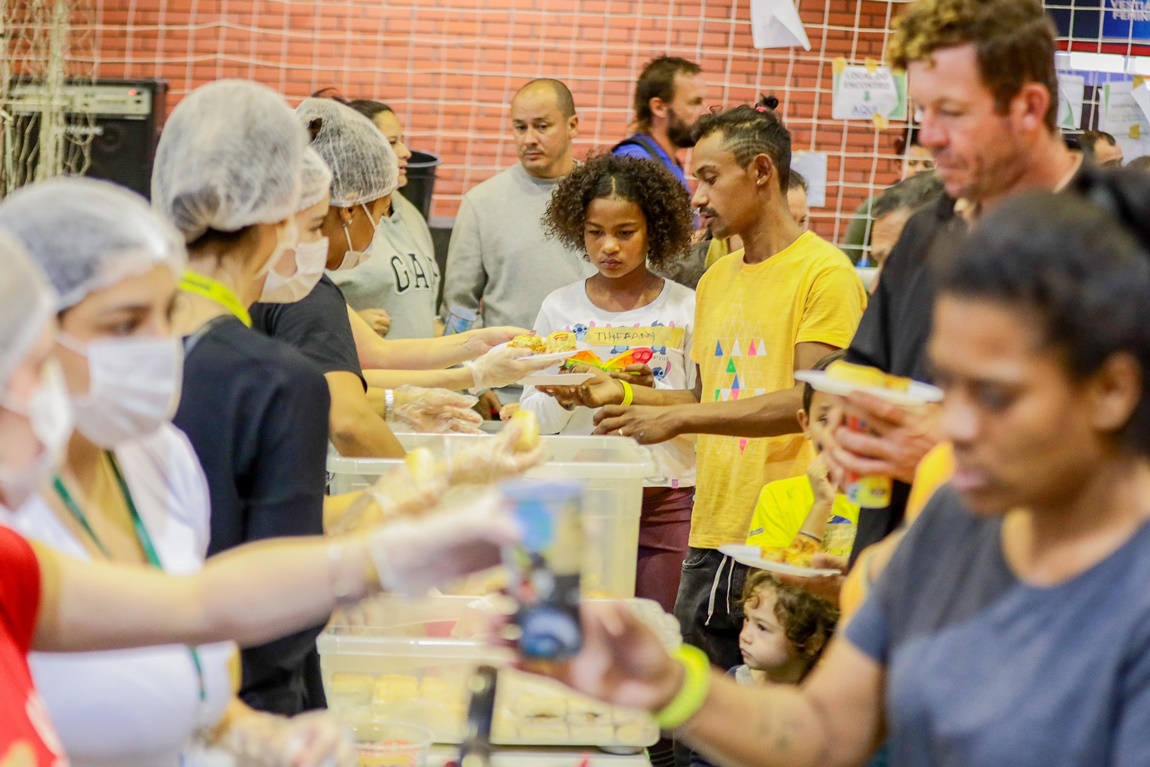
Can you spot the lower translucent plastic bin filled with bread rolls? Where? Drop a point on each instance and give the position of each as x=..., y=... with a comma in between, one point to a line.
x=411, y=662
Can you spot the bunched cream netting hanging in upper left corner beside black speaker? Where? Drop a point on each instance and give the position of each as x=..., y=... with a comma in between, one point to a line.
x=48, y=45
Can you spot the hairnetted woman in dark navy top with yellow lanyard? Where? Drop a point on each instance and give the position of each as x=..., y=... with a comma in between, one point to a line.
x=228, y=175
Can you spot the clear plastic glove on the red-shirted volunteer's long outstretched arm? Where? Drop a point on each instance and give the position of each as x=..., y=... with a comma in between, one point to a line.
x=412, y=556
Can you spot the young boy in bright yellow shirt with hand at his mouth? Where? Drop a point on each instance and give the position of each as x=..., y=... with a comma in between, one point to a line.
x=806, y=505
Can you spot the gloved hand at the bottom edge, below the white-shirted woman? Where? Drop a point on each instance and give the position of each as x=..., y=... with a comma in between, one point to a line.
x=317, y=739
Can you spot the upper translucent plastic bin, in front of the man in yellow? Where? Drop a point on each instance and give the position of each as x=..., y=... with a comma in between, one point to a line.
x=611, y=469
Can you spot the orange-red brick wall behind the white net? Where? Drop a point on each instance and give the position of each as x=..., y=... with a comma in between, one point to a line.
x=449, y=67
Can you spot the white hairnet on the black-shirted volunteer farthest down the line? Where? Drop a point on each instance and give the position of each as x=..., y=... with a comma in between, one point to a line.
x=364, y=166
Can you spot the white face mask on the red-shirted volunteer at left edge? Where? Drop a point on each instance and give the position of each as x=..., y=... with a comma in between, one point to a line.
x=51, y=415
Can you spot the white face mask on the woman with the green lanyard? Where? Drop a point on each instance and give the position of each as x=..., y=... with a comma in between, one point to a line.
x=134, y=387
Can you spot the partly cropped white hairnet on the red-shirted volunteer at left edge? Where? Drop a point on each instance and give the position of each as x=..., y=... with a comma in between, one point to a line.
x=27, y=305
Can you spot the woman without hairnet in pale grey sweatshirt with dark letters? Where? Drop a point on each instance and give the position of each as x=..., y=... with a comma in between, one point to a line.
x=397, y=293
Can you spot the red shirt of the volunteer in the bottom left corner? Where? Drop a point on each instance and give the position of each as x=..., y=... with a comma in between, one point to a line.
x=27, y=738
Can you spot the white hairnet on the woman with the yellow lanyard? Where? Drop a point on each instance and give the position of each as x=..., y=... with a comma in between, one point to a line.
x=229, y=158
